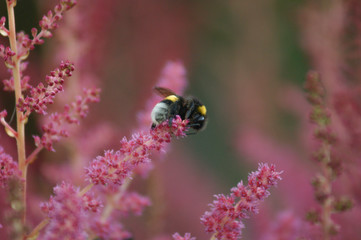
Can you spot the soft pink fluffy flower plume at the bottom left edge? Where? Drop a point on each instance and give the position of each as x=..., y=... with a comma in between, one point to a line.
x=67, y=213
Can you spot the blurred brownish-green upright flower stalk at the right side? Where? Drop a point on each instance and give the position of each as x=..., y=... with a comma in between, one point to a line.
x=322, y=183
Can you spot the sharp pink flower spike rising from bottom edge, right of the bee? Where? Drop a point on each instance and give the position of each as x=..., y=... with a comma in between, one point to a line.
x=224, y=219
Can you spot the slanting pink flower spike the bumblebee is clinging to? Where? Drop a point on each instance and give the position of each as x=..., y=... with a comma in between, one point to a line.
x=115, y=167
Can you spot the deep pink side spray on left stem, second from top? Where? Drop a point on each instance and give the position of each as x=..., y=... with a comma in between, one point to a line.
x=42, y=95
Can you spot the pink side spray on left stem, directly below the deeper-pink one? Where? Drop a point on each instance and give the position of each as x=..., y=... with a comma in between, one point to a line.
x=55, y=128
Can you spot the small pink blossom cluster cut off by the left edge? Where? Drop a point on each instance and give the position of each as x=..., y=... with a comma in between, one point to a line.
x=8, y=168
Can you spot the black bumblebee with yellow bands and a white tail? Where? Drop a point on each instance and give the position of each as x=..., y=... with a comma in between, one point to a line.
x=186, y=107
